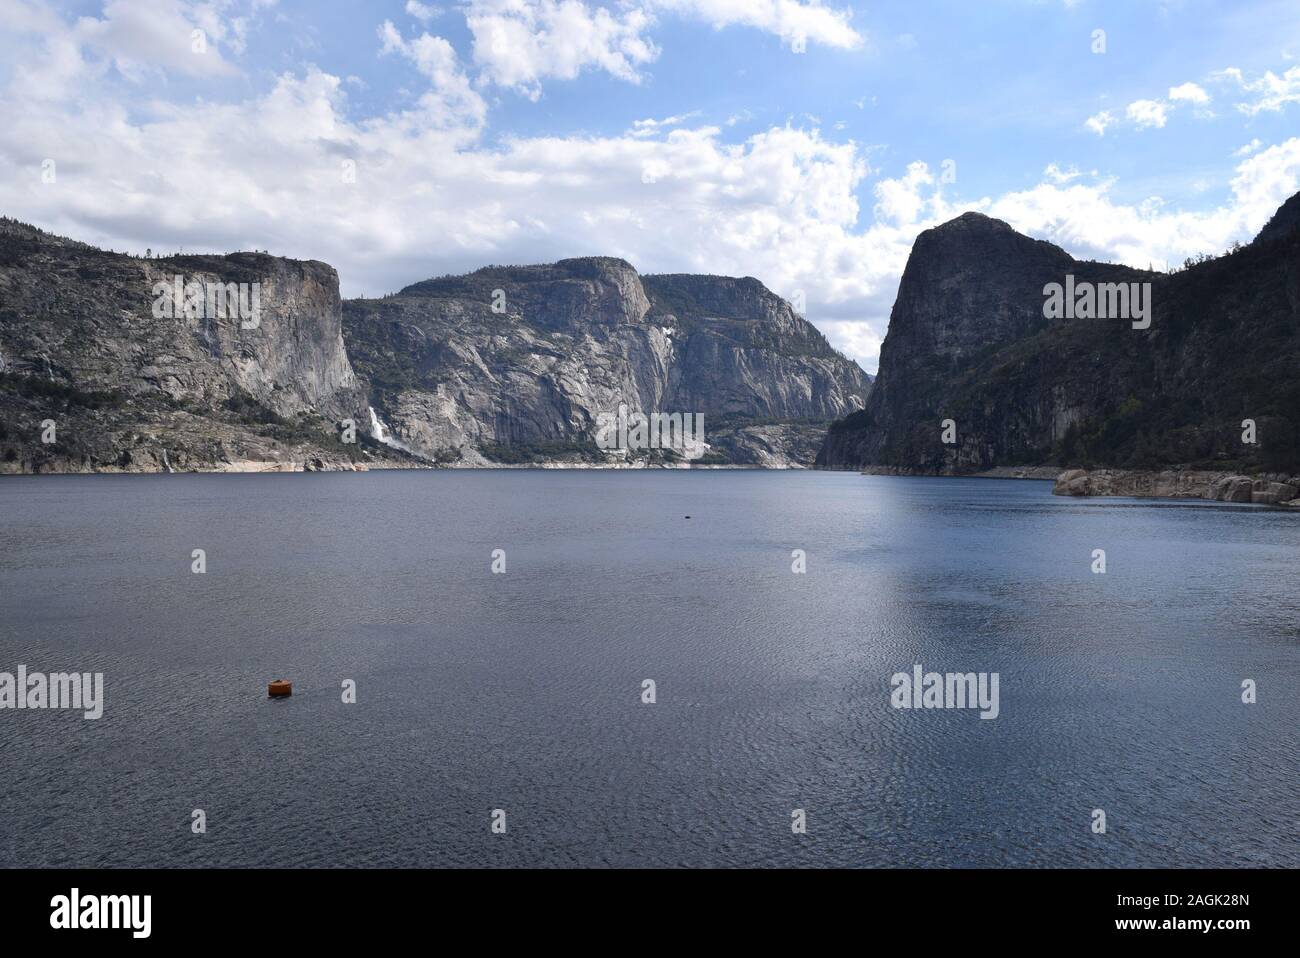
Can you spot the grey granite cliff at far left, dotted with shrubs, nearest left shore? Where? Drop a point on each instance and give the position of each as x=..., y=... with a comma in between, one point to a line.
x=83, y=345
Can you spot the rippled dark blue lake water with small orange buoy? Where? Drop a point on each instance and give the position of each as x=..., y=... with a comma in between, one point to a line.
x=523, y=691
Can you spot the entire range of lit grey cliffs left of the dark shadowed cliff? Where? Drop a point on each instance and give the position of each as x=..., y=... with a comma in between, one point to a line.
x=252, y=362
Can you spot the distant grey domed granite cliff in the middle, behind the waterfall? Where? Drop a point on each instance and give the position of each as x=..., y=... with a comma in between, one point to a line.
x=457, y=379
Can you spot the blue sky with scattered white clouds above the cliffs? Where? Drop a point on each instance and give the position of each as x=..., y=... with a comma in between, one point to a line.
x=803, y=142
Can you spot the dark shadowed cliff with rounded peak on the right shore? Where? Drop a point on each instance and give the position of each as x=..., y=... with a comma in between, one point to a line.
x=969, y=341
